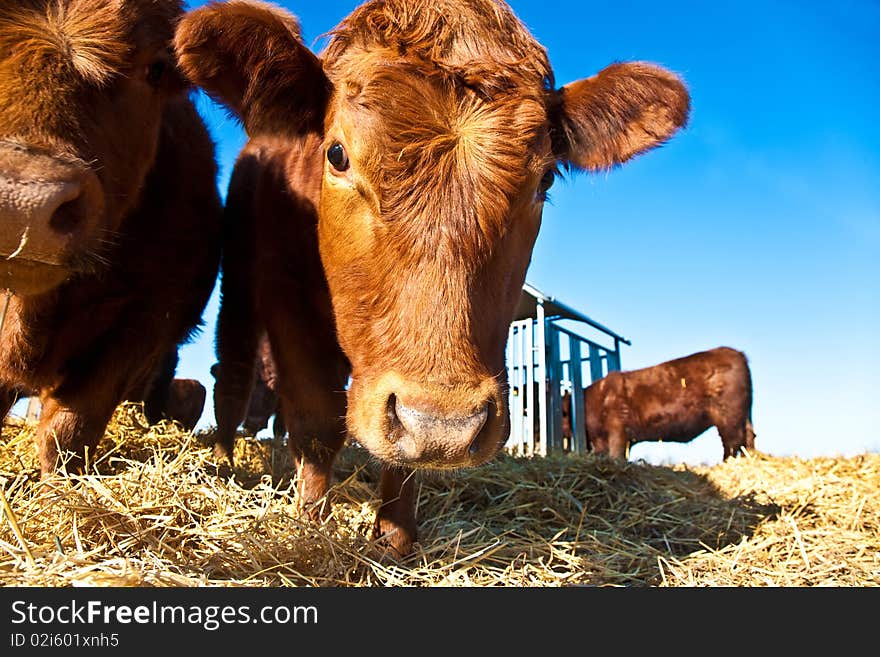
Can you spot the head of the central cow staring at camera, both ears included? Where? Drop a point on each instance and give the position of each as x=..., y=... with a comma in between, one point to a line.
x=442, y=132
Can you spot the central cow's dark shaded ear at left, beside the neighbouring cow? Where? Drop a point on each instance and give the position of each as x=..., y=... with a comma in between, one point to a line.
x=250, y=57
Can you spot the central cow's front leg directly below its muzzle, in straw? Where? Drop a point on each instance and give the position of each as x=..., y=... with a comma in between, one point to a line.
x=396, y=518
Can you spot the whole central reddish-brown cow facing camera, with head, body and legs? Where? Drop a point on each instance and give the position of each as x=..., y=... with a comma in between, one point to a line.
x=382, y=216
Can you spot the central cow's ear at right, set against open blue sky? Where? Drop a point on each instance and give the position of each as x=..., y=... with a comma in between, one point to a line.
x=624, y=110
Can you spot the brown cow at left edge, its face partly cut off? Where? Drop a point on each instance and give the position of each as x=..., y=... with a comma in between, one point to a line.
x=109, y=211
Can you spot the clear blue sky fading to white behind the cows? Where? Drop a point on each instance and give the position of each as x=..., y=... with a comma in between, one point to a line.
x=757, y=227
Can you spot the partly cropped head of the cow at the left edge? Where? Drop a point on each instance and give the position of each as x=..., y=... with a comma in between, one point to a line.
x=82, y=86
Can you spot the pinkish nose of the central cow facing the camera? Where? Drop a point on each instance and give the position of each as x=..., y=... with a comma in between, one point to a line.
x=428, y=439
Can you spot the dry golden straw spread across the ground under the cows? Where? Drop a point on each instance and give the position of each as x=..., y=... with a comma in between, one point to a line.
x=153, y=510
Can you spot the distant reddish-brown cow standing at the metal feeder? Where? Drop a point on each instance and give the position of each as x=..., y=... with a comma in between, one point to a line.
x=674, y=401
